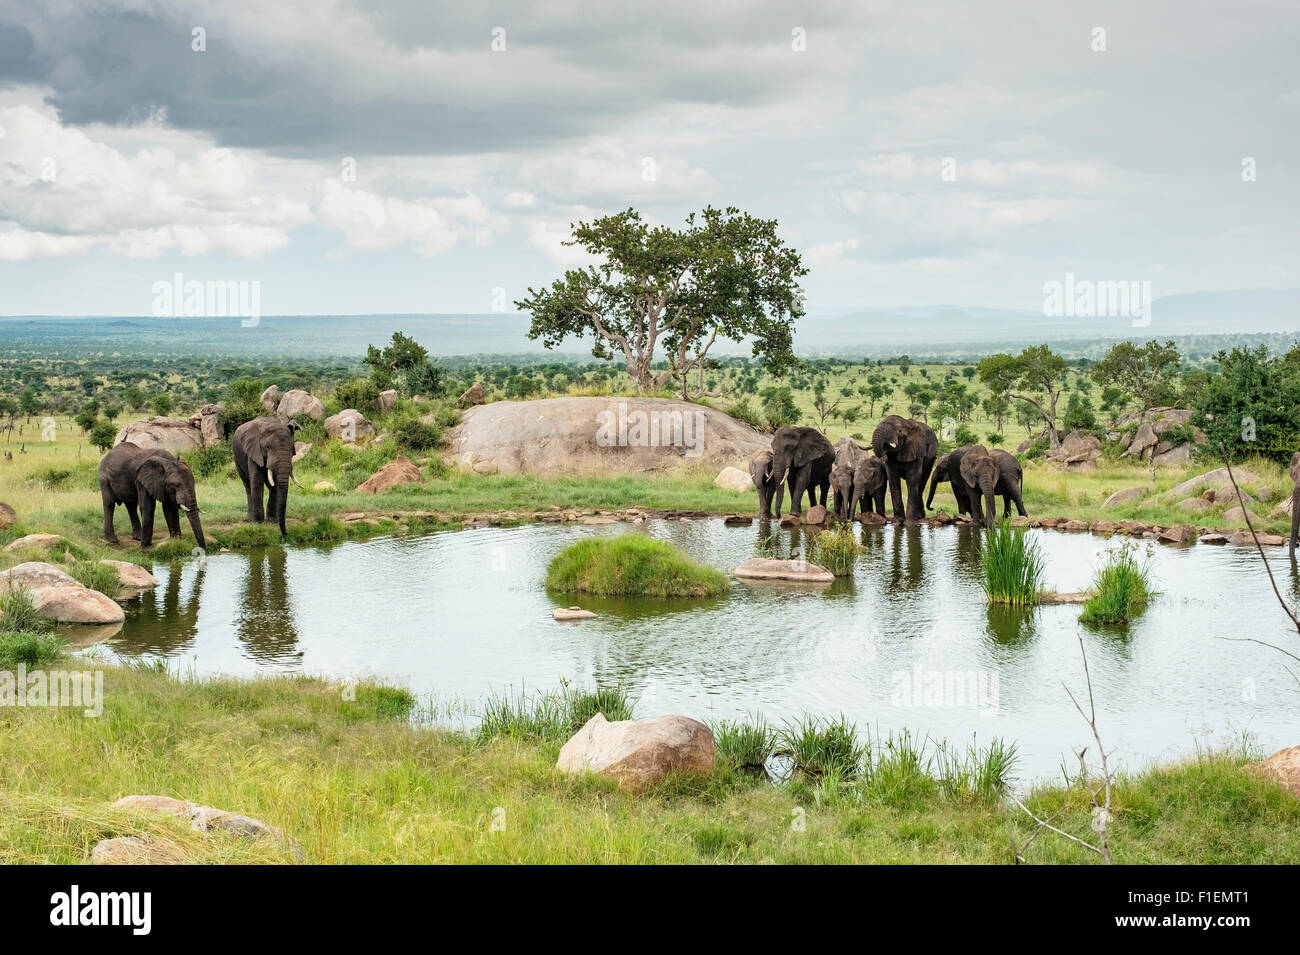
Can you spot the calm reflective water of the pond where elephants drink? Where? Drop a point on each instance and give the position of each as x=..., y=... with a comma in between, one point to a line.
x=461, y=617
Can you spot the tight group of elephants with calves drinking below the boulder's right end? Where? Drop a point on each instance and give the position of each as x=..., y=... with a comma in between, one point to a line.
x=903, y=452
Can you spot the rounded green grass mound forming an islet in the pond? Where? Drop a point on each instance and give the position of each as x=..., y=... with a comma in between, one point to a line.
x=632, y=566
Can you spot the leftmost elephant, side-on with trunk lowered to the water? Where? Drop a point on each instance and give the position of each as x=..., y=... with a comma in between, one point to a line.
x=136, y=477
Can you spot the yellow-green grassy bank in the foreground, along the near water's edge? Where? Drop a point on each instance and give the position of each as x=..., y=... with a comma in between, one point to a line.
x=354, y=782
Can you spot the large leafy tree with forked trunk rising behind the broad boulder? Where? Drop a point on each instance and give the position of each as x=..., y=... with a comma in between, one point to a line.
x=726, y=275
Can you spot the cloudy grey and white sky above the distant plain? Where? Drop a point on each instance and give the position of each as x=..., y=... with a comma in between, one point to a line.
x=1107, y=140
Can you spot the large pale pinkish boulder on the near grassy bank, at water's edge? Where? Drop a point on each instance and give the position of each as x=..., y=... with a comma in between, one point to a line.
x=640, y=754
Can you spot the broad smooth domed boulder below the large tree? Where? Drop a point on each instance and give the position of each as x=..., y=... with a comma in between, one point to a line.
x=608, y=436
